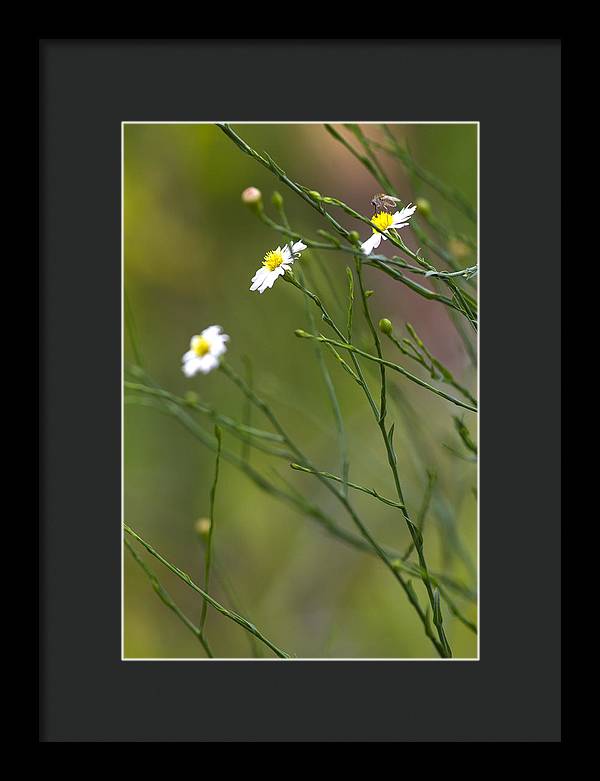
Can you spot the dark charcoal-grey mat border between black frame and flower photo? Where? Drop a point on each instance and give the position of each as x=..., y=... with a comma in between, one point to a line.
x=87, y=88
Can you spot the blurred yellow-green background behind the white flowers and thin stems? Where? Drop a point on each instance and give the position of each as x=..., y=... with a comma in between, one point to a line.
x=190, y=248
